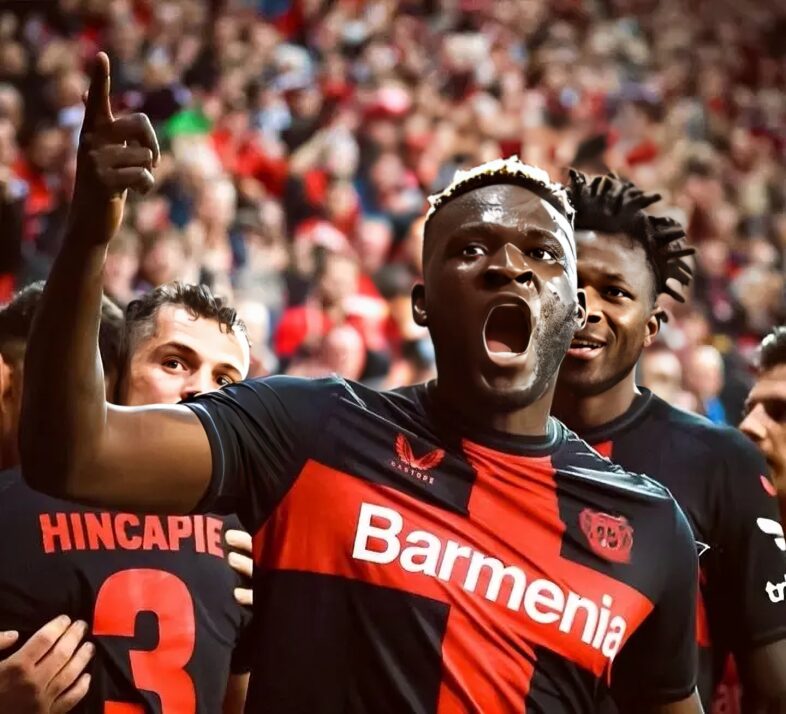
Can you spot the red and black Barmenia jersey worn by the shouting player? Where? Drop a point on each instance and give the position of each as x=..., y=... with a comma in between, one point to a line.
x=405, y=565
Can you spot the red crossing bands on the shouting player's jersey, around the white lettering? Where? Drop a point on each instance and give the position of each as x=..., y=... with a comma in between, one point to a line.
x=488, y=649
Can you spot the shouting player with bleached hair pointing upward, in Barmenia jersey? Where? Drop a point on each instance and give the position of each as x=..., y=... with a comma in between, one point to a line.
x=445, y=548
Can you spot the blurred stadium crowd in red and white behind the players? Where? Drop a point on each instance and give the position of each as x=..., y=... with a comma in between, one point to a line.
x=300, y=139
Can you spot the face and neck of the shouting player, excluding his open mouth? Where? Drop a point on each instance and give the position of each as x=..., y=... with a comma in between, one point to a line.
x=497, y=245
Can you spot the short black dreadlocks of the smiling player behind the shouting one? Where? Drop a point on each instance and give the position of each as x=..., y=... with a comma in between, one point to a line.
x=610, y=204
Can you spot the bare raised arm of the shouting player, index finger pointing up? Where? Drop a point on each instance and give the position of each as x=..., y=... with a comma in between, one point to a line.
x=73, y=444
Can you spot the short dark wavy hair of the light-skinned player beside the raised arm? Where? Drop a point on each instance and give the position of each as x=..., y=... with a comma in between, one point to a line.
x=198, y=300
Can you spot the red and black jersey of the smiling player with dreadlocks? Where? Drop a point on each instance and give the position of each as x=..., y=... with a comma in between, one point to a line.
x=719, y=479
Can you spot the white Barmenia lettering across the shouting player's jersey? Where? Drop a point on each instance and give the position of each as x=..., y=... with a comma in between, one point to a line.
x=378, y=540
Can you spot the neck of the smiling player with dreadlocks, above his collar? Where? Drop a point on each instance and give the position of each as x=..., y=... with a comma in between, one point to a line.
x=581, y=413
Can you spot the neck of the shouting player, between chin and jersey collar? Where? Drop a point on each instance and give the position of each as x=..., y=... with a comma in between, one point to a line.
x=531, y=420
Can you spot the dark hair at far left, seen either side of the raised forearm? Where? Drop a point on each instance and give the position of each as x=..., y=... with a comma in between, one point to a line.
x=16, y=319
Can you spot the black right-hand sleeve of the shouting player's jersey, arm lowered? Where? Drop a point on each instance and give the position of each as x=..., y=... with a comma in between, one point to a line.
x=659, y=663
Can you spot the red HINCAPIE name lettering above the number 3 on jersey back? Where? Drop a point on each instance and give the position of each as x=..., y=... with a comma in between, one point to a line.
x=126, y=531
